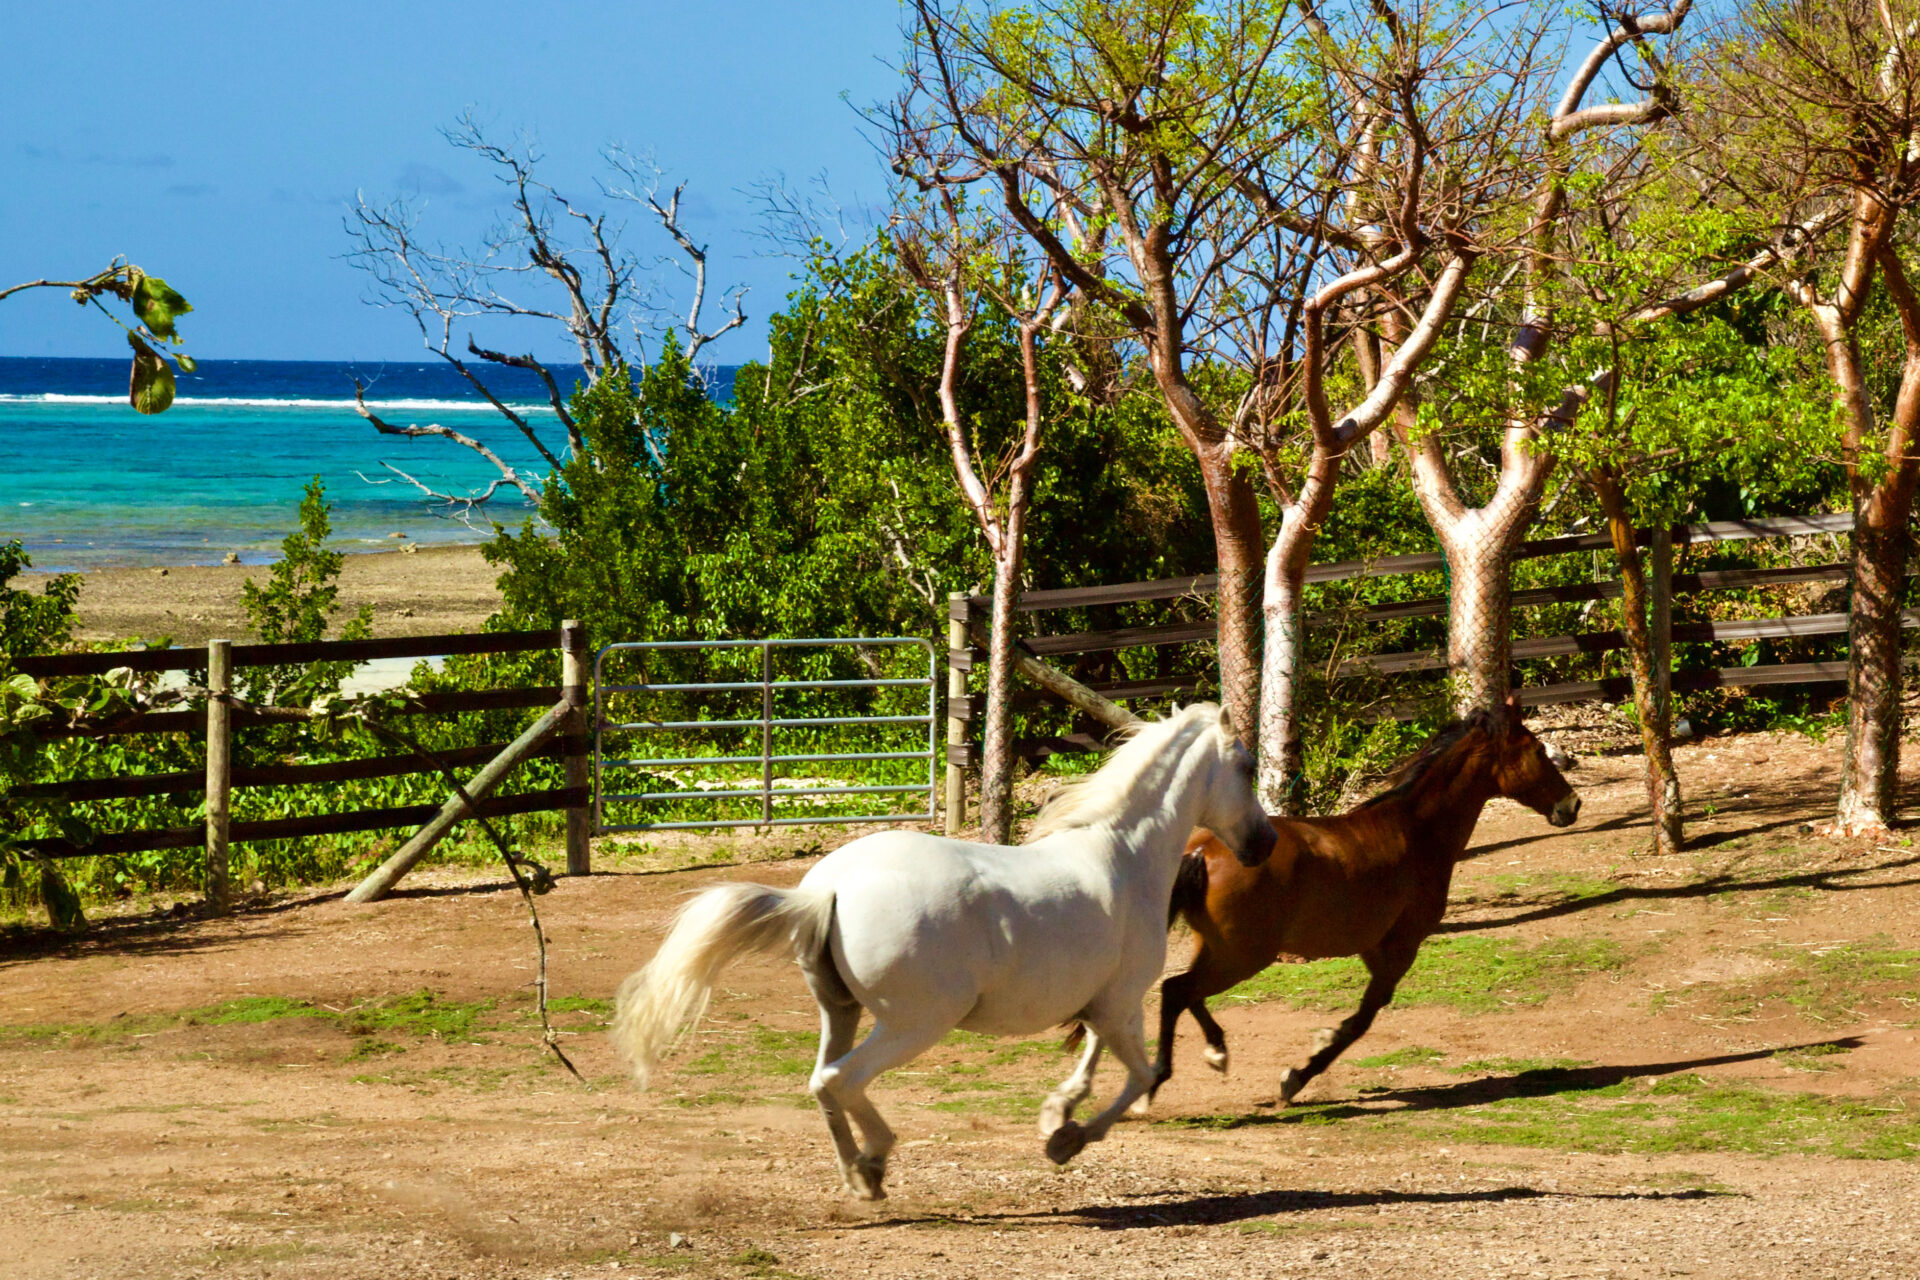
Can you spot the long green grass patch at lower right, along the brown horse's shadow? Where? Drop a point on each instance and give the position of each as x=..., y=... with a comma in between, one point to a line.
x=1564, y=1110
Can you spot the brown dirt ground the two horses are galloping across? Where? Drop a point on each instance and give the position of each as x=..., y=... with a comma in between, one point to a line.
x=1606, y=1066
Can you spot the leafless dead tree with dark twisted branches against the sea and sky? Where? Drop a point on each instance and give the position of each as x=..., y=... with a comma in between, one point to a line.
x=552, y=262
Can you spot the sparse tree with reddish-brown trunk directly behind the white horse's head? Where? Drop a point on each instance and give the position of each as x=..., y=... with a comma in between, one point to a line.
x=1103, y=130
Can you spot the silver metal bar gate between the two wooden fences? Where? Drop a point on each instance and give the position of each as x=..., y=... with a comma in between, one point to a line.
x=769, y=726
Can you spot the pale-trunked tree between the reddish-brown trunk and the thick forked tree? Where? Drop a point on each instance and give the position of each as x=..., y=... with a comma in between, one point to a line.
x=1414, y=183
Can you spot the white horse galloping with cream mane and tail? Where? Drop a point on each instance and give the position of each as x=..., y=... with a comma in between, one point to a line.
x=934, y=934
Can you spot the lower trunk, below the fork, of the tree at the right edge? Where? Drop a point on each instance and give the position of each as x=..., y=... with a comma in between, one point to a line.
x=1871, y=774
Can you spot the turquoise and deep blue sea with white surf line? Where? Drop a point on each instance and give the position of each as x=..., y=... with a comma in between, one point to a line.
x=87, y=483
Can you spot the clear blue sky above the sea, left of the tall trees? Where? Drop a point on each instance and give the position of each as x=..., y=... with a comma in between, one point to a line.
x=220, y=145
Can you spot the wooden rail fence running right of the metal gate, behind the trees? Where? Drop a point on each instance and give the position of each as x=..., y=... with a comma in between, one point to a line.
x=969, y=617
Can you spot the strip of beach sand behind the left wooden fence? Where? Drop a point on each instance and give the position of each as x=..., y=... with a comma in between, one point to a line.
x=423, y=592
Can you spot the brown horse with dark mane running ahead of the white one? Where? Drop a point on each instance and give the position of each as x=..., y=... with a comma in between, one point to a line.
x=1368, y=884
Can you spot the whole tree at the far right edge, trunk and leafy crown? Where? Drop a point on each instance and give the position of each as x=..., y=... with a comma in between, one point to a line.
x=1817, y=107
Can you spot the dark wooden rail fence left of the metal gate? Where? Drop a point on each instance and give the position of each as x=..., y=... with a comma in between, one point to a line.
x=222, y=719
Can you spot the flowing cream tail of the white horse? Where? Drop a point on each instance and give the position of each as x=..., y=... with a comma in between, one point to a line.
x=665, y=999
